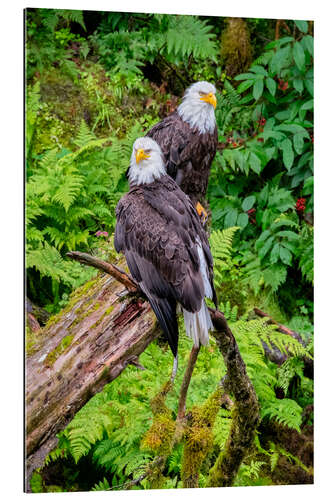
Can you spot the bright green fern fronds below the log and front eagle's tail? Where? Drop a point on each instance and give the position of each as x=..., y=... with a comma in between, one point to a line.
x=110, y=428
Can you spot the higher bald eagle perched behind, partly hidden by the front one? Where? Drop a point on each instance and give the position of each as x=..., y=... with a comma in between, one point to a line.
x=188, y=140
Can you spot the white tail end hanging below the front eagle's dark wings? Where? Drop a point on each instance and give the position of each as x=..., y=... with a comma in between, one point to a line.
x=197, y=325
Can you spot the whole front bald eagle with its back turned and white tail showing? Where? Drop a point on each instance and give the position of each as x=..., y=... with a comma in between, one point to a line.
x=165, y=245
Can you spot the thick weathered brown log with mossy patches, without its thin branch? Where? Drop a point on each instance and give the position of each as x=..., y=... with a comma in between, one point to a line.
x=86, y=346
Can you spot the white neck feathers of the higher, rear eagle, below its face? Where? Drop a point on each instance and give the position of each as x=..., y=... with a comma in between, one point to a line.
x=198, y=115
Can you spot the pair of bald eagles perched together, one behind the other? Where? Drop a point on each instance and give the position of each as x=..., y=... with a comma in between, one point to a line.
x=158, y=228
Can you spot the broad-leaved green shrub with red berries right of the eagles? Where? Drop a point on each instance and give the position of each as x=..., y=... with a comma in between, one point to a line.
x=267, y=163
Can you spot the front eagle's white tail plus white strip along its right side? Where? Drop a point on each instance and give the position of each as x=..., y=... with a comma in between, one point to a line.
x=197, y=324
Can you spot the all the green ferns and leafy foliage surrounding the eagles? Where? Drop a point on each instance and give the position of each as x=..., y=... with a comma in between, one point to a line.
x=89, y=97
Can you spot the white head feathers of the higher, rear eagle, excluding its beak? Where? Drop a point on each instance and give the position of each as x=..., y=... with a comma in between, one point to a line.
x=197, y=112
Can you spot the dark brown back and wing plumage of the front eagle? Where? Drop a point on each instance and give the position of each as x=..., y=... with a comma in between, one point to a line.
x=158, y=230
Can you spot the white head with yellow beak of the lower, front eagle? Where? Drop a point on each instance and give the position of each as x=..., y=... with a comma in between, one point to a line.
x=147, y=162
